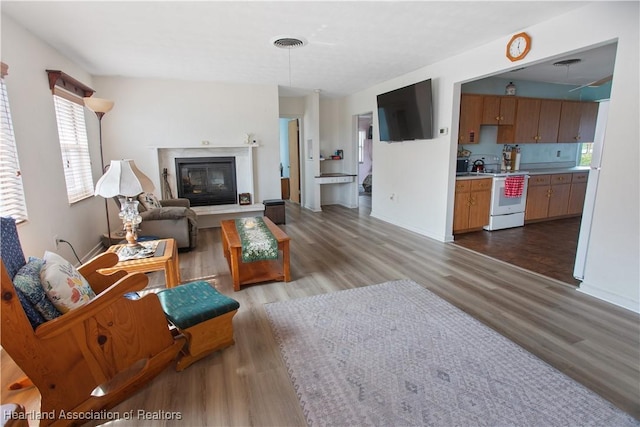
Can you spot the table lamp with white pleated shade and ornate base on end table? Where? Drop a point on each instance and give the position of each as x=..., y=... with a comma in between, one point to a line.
x=124, y=180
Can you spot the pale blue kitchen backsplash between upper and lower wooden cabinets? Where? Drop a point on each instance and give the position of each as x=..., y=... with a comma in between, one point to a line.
x=534, y=156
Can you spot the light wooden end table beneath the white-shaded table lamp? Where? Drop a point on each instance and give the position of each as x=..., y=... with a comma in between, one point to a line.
x=166, y=260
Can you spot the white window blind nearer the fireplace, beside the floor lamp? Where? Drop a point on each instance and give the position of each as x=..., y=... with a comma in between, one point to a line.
x=74, y=146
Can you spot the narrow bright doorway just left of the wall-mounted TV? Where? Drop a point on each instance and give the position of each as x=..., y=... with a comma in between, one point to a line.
x=364, y=138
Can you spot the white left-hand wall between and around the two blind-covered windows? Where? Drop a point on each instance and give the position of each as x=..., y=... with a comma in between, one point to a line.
x=34, y=121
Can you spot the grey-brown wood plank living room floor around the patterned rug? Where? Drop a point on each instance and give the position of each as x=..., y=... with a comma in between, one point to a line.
x=247, y=384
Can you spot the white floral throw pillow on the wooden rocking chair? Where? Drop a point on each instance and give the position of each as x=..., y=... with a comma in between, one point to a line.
x=64, y=285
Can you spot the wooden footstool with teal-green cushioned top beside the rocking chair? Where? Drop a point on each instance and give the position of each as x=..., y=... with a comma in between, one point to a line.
x=203, y=315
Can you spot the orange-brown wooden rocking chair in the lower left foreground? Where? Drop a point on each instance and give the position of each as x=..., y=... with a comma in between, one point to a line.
x=94, y=356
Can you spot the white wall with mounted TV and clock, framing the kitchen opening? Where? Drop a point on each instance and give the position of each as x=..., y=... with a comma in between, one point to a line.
x=421, y=175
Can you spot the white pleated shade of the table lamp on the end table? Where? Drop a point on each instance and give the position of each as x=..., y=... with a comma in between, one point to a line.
x=123, y=178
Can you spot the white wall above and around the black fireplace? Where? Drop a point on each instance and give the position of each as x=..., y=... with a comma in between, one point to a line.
x=175, y=114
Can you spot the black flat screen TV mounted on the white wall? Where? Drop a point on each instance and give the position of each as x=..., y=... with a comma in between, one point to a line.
x=406, y=114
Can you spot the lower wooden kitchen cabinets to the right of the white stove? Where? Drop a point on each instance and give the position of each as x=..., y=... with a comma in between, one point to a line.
x=549, y=196
